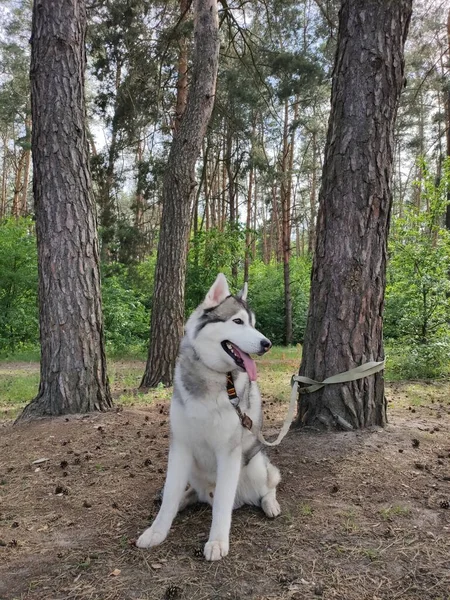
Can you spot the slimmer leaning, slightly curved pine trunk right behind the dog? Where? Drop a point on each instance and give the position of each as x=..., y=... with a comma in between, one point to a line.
x=179, y=184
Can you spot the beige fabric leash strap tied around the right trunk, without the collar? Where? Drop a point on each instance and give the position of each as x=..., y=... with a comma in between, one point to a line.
x=365, y=370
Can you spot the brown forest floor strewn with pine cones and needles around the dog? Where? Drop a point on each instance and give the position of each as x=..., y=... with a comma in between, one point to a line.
x=363, y=514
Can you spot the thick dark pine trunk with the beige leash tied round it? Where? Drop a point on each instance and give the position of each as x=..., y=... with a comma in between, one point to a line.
x=344, y=326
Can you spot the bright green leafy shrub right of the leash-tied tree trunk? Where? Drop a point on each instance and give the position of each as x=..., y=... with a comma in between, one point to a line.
x=418, y=290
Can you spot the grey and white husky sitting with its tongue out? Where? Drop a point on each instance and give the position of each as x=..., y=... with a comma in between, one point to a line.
x=210, y=449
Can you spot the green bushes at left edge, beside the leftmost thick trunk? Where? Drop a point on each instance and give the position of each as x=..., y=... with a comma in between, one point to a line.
x=18, y=285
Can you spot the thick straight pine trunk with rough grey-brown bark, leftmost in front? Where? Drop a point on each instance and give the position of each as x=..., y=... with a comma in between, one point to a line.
x=73, y=366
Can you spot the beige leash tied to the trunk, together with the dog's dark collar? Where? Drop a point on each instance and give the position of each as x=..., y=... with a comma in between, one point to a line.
x=360, y=372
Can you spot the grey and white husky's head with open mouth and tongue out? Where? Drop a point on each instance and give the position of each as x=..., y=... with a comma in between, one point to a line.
x=222, y=330
